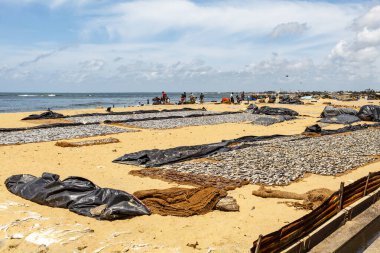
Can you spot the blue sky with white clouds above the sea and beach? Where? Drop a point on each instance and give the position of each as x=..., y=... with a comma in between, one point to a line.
x=103, y=45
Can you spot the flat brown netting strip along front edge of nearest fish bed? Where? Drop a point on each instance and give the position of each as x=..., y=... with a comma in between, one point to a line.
x=190, y=179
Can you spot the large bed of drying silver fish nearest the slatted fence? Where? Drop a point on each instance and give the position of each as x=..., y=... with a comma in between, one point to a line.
x=281, y=161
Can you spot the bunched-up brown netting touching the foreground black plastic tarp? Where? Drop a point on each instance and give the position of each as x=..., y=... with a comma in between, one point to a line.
x=182, y=202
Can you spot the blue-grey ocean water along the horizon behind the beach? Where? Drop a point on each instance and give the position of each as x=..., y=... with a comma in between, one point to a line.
x=20, y=102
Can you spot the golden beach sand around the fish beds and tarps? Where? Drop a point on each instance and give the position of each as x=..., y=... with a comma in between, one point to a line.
x=215, y=232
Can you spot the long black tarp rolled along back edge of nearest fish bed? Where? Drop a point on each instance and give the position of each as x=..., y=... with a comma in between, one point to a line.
x=157, y=157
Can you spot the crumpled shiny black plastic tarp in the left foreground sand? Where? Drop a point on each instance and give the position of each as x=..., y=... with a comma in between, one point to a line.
x=77, y=194
